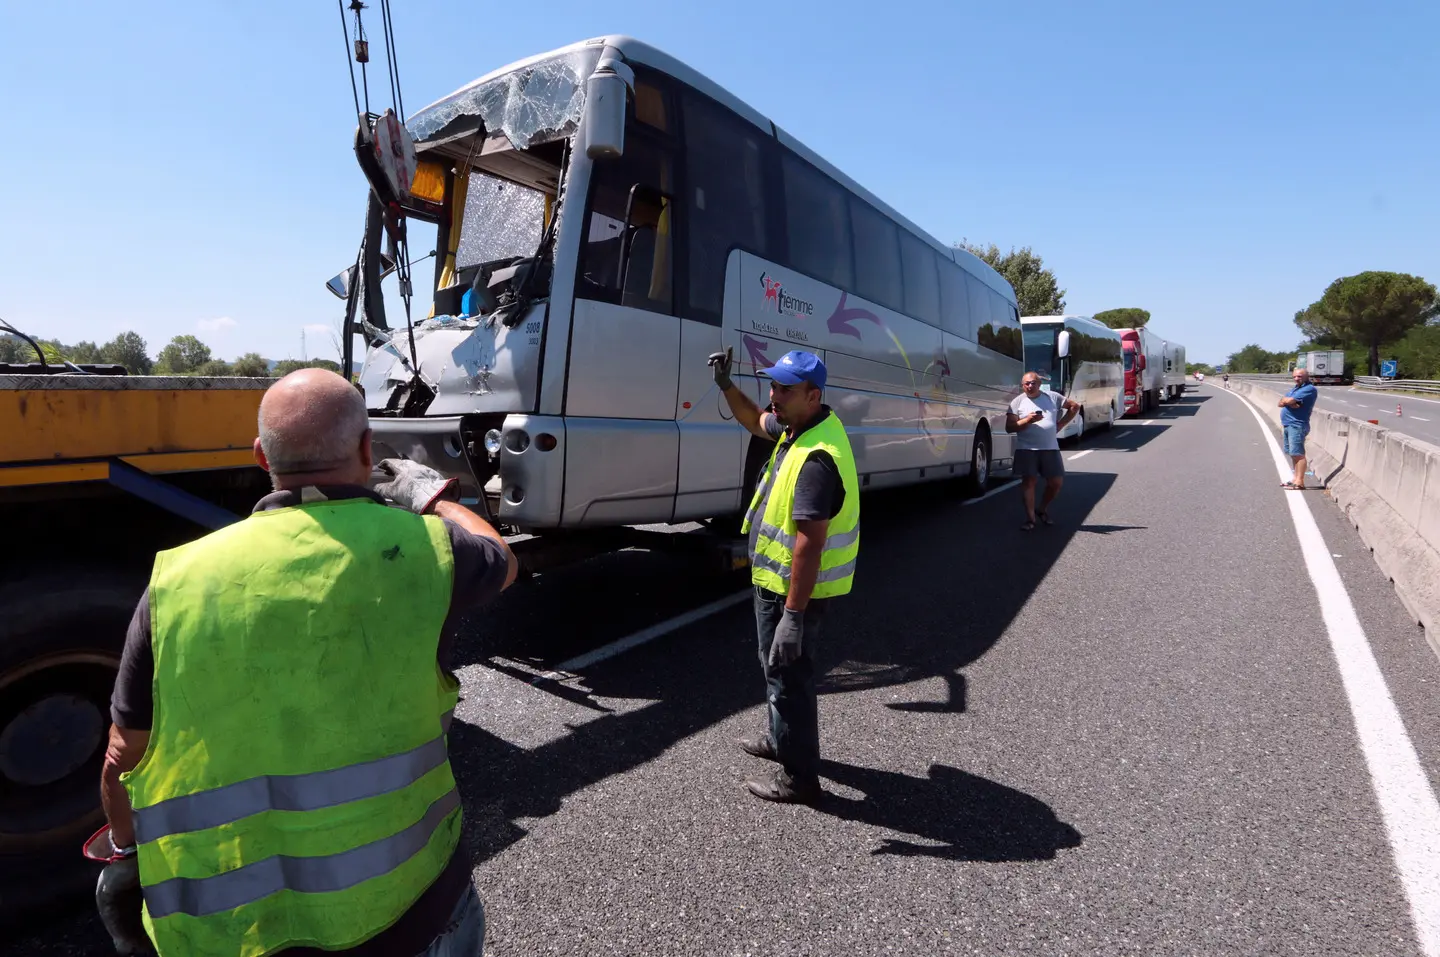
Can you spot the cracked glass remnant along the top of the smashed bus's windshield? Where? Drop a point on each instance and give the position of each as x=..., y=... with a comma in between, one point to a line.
x=529, y=106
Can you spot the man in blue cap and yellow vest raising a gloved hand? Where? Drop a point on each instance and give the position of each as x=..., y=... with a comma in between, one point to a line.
x=804, y=527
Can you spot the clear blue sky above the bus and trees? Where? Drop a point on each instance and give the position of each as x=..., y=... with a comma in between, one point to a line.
x=185, y=168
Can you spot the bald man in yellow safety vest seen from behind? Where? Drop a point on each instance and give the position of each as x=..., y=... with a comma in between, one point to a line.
x=279, y=778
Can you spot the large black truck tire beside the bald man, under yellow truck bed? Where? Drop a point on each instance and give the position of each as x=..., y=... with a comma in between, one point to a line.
x=61, y=638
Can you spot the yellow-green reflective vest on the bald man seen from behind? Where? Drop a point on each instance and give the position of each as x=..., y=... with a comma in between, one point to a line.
x=296, y=789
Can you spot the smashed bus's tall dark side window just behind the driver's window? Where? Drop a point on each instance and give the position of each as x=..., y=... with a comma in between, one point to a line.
x=726, y=171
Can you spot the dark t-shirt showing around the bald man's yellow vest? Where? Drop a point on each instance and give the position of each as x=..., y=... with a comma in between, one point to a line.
x=480, y=573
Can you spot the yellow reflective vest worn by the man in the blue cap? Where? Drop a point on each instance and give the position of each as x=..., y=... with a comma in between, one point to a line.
x=771, y=514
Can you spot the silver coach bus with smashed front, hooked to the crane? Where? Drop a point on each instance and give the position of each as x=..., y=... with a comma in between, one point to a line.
x=616, y=218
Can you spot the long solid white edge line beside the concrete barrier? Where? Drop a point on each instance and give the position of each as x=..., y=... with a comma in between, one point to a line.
x=1408, y=804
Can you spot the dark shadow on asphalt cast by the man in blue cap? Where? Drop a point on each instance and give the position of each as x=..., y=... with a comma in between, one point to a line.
x=964, y=817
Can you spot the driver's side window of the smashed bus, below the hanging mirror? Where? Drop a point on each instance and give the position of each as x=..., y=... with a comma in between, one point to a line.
x=649, y=273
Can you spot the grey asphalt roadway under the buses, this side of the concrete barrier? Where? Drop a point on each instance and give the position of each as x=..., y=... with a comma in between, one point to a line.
x=1131, y=733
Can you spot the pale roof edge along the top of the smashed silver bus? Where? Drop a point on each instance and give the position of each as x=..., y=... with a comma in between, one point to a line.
x=639, y=53
